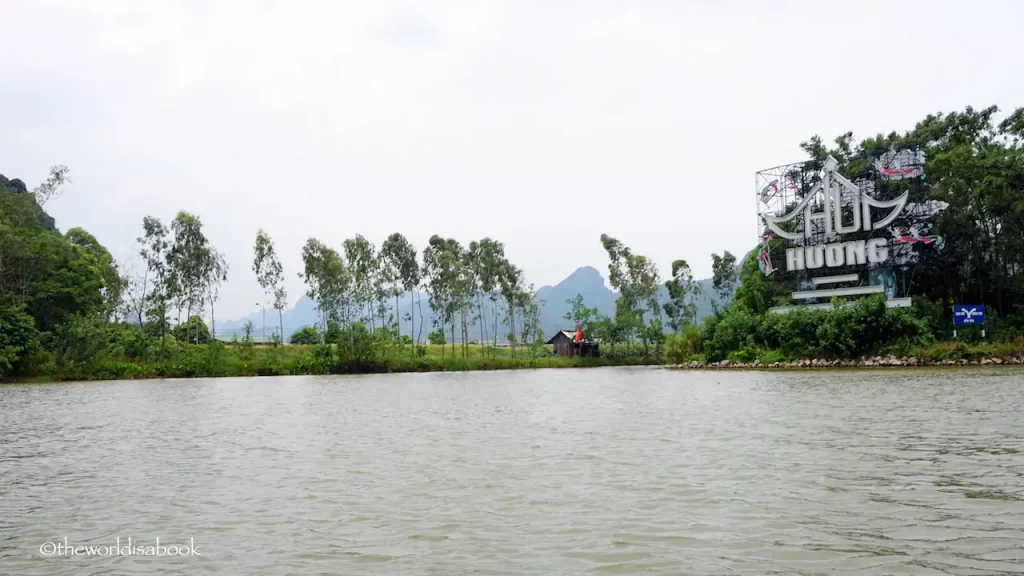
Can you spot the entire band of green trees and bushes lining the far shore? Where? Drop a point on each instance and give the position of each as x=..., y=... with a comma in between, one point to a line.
x=69, y=311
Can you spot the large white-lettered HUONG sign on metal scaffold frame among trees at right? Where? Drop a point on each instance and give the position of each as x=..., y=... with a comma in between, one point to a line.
x=825, y=231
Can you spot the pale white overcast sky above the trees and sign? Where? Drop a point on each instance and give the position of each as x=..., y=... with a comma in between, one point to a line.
x=542, y=125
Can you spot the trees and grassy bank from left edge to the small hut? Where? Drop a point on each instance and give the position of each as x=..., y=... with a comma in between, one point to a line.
x=68, y=311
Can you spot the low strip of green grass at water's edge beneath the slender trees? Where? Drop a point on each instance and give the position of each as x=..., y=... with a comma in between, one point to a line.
x=219, y=360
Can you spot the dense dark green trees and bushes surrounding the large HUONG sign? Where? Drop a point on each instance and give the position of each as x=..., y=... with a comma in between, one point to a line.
x=973, y=164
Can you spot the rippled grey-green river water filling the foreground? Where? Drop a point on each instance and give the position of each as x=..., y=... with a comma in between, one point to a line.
x=550, y=472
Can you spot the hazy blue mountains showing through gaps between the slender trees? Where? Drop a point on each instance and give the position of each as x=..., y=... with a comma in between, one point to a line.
x=587, y=281
